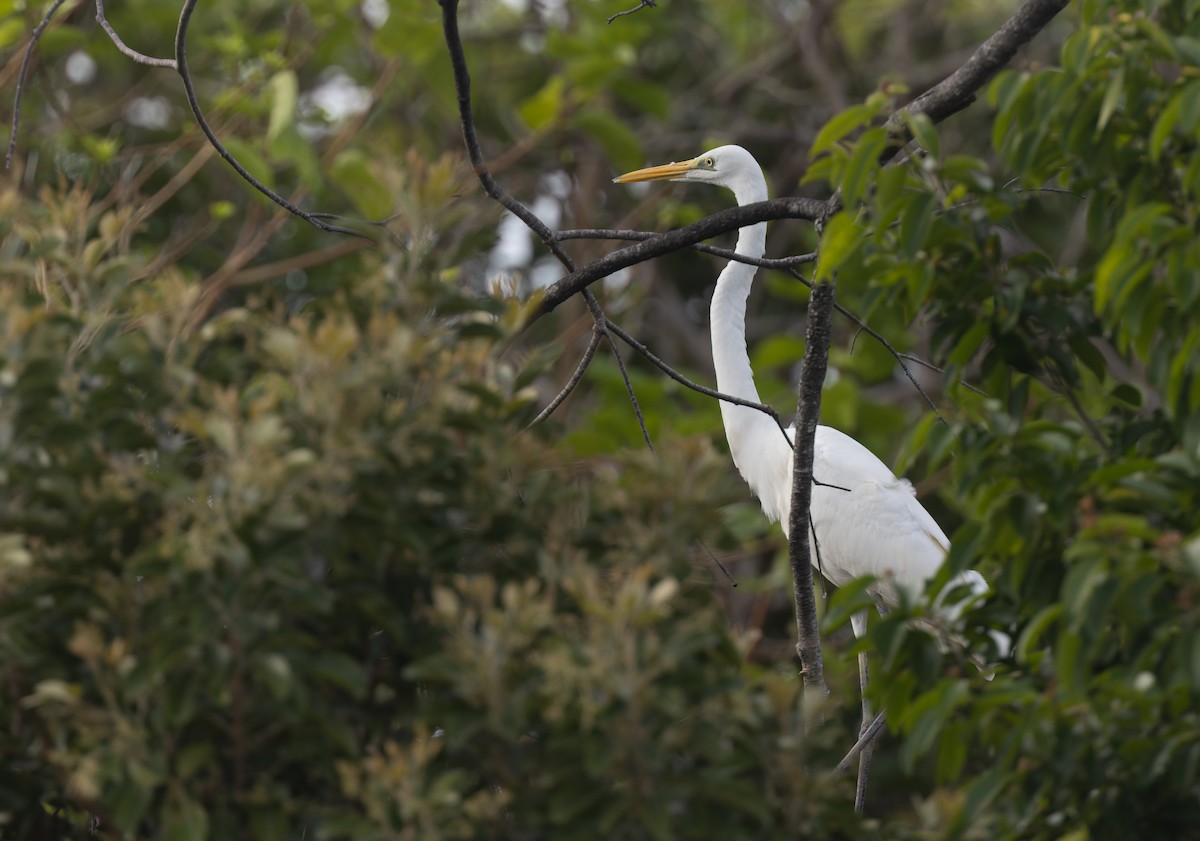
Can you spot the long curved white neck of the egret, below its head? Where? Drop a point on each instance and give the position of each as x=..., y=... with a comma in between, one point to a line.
x=757, y=443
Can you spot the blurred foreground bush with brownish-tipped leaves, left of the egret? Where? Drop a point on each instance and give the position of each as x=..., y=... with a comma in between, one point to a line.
x=307, y=574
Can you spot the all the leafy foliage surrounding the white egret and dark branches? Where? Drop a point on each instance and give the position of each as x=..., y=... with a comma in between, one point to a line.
x=279, y=558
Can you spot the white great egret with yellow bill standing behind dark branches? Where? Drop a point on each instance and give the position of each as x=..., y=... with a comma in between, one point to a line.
x=866, y=521
